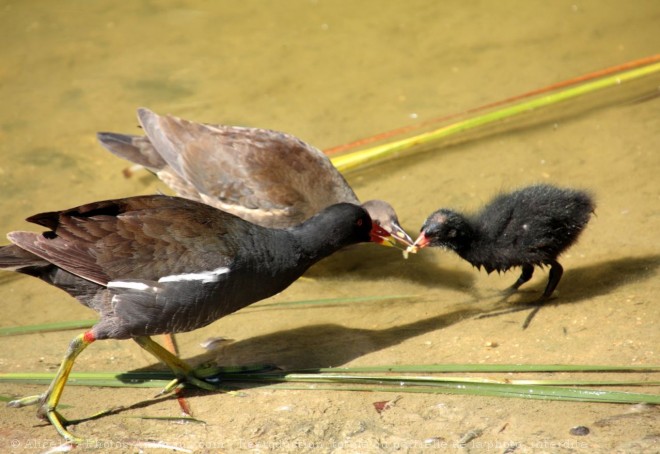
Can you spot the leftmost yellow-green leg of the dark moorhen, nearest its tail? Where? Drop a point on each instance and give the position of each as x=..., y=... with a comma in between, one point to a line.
x=48, y=401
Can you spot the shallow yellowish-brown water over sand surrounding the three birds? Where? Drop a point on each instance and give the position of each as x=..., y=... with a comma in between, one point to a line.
x=332, y=72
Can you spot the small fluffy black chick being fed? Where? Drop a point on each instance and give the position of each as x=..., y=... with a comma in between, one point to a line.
x=528, y=227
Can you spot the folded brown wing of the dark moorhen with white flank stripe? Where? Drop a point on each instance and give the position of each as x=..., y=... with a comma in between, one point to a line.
x=136, y=238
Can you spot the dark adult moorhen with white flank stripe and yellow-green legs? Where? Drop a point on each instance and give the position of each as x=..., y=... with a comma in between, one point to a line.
x=156, y=264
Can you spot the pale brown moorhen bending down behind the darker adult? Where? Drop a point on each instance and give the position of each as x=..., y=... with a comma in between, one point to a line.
x=267, y=177
